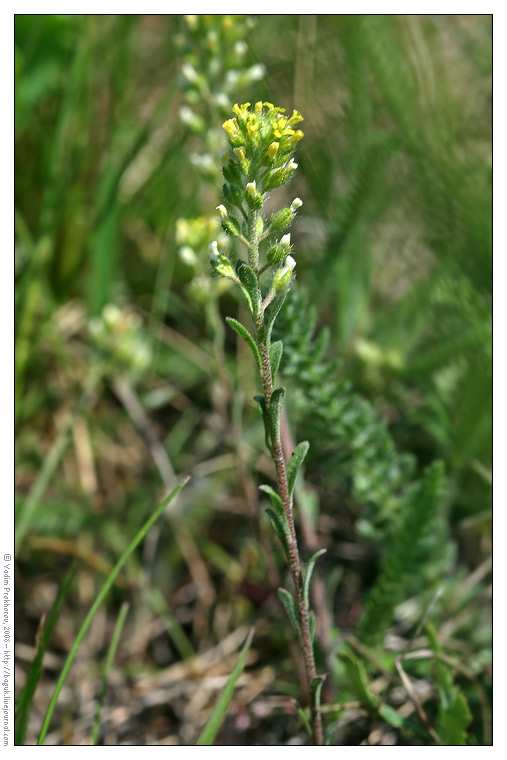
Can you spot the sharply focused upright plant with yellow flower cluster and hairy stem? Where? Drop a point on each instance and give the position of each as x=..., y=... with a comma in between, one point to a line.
x=262, y=141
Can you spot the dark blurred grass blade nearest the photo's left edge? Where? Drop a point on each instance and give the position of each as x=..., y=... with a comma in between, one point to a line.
x=24, y=700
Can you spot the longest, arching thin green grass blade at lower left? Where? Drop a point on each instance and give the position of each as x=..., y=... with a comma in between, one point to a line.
x=95, y=606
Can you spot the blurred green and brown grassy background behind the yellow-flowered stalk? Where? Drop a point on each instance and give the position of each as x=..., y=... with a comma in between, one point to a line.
x=116, y=182
